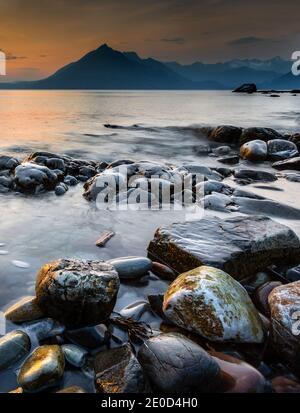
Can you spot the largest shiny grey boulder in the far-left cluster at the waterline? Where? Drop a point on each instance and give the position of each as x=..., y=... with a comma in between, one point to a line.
x=33, y=178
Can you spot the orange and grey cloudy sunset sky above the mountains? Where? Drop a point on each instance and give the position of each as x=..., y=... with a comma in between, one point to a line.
x=40, y=36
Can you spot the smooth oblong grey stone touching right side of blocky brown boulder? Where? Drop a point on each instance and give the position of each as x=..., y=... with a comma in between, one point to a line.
x=131, y=267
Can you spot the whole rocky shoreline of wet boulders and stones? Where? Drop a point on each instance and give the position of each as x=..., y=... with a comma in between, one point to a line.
x=229, y=318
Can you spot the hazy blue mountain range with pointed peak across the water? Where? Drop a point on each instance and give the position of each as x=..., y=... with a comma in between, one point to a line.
x=106, y=68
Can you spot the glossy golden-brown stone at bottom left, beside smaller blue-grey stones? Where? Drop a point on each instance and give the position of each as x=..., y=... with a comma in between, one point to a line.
x=44, y=368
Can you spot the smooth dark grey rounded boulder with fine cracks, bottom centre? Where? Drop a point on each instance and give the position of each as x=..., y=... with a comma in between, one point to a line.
x=175, y=364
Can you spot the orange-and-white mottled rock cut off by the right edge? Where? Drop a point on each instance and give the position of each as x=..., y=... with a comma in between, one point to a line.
x=285, y=311
